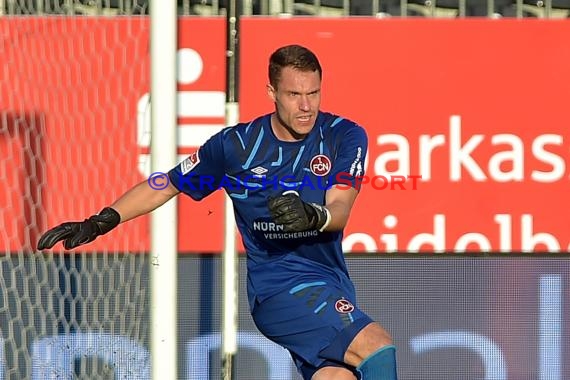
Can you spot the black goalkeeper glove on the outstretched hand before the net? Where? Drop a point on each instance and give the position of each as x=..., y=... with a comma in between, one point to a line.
x=75, y=234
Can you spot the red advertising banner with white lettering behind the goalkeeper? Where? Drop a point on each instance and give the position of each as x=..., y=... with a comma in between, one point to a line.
x=475, y=107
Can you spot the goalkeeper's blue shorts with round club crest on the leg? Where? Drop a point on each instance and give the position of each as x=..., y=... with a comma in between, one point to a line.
x=316, y=321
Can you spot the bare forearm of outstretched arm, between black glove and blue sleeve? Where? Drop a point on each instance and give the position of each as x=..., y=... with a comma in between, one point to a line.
x=142, y=199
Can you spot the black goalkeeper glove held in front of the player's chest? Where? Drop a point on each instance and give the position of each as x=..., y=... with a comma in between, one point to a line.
x=295, y=215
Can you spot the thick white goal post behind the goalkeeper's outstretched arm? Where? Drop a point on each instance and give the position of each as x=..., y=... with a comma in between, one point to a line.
x=164, y=226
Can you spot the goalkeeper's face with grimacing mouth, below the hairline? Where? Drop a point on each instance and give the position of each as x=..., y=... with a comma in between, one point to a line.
x=297, y=99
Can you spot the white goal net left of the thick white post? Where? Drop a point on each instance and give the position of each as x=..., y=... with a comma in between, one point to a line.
x=69, y=89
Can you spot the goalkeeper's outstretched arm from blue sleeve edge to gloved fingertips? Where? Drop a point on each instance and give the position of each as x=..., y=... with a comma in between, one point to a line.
x=139, y=200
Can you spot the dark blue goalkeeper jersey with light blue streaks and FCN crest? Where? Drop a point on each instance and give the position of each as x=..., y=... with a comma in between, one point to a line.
x=251, y=165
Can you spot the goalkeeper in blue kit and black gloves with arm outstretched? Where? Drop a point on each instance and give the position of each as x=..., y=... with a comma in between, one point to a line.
x=299, y=290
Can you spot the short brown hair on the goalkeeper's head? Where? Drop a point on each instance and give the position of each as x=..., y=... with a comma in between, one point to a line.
x=296, y=56
